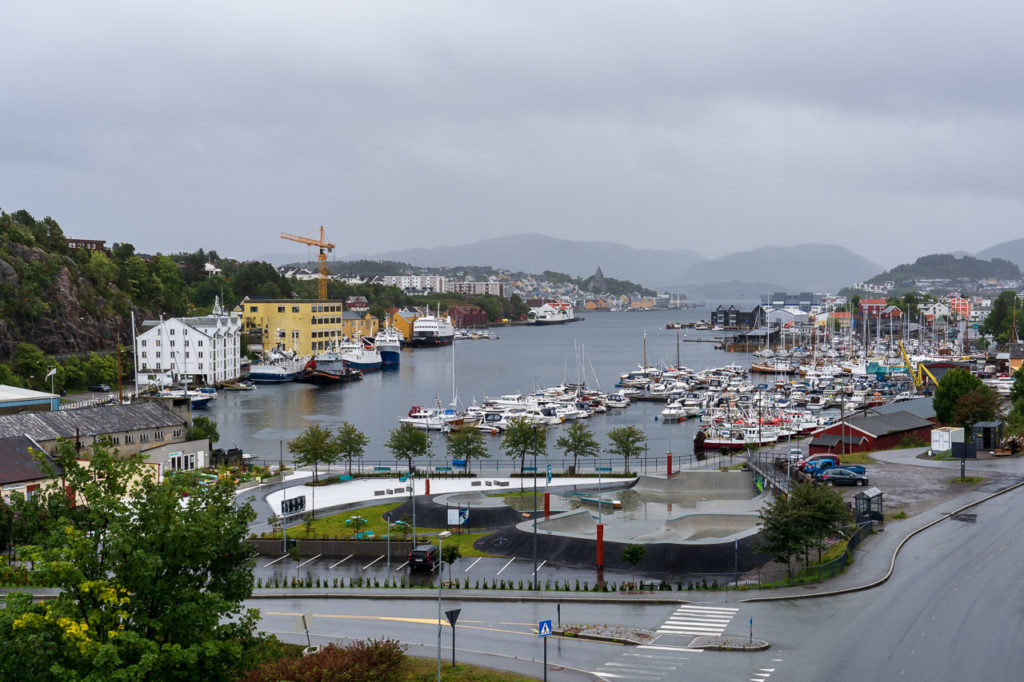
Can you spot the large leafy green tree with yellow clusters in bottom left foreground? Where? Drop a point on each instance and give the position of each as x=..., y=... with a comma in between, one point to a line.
x=151, y=578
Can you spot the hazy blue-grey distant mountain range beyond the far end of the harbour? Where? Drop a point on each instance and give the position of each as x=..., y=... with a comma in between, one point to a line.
x=803, y=268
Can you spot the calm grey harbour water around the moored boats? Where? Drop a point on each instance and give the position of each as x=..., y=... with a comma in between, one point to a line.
x=524, y=360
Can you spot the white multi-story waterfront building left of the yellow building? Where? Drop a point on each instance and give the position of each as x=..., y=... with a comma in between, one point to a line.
x=200, y=351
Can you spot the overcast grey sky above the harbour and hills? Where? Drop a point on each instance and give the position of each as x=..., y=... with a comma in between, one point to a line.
x=892, y=129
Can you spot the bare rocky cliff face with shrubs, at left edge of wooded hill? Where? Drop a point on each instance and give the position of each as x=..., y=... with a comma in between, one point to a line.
x=65, y=314
